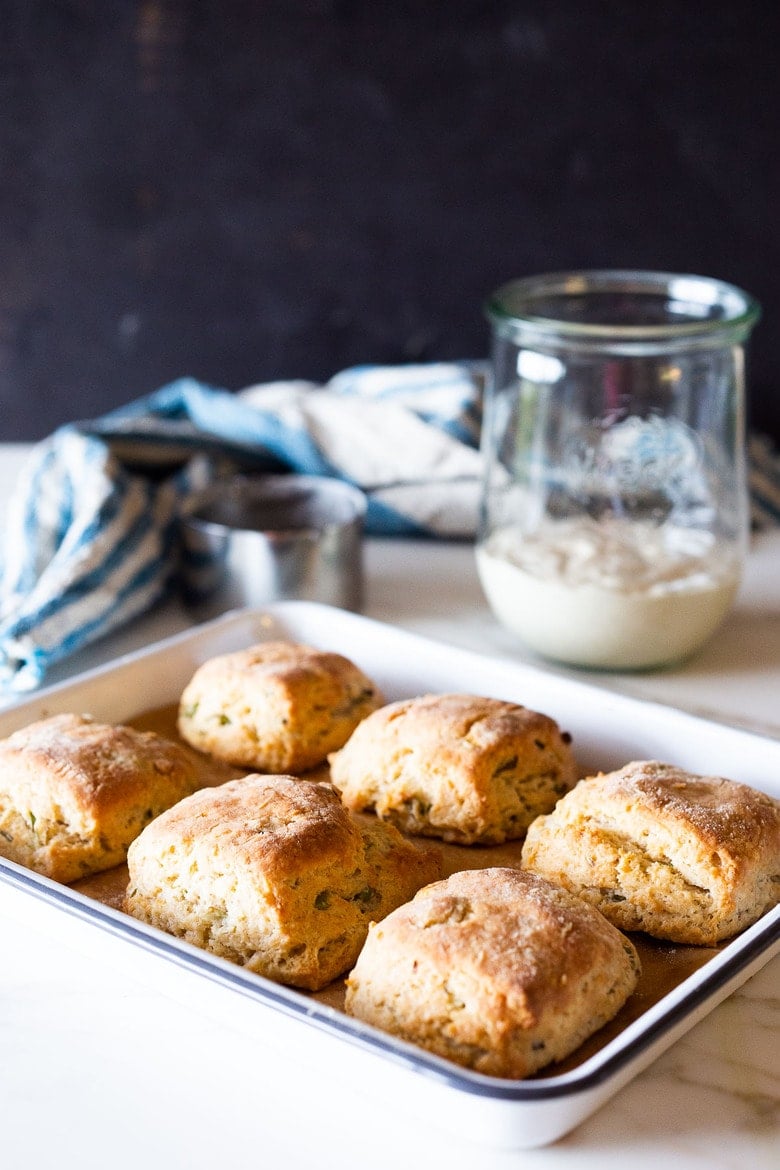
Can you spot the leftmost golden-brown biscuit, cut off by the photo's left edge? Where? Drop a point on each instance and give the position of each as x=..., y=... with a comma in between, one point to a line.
x=74, y=793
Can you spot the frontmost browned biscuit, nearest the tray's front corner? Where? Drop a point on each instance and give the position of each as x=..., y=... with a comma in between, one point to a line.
x=494, y=969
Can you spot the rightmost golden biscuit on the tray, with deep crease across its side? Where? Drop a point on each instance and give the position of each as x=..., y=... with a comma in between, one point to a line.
x=692, y=859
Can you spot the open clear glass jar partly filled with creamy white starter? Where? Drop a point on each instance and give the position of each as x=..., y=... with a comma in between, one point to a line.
x=615, y=514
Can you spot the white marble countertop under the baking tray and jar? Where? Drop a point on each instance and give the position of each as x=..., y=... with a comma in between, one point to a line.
x=100, y=1070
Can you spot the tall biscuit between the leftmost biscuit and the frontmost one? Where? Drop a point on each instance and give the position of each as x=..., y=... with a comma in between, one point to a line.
x=275, y=875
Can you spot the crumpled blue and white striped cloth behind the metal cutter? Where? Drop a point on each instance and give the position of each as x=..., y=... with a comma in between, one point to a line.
x=92, y=532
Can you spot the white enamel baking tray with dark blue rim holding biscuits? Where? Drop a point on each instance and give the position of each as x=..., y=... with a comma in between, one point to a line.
x=609, y=732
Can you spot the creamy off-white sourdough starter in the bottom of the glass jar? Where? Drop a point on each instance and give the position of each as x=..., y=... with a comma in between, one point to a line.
x=611, y=594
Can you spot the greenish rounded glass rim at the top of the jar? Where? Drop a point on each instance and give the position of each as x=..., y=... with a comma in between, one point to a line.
x=700, y=307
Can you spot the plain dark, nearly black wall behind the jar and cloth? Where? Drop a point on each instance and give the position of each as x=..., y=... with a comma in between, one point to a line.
x=249, y=191
